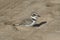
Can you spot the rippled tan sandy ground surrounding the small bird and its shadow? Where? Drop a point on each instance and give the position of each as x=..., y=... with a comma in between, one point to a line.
x=14, y=11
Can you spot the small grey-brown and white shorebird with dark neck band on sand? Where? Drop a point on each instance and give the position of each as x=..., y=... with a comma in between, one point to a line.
x=29, y=21
